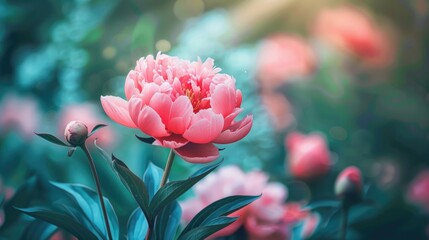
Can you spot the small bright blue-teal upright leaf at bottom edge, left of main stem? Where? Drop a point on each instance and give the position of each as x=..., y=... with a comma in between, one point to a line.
x=137, y=225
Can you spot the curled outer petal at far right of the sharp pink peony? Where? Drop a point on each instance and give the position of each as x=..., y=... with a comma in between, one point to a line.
x=236, y=131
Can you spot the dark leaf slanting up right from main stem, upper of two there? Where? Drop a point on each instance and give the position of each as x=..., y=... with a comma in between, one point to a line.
x=172, y=190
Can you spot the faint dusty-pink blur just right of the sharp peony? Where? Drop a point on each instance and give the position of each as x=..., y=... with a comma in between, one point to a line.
x=279, y=109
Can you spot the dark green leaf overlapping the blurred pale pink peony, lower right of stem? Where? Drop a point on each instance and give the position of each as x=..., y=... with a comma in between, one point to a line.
x=219, y=208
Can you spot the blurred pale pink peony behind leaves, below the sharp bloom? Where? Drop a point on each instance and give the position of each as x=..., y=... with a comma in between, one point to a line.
x=269, y=217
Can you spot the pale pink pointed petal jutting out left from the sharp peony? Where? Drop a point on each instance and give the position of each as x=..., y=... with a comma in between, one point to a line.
x=117, y=109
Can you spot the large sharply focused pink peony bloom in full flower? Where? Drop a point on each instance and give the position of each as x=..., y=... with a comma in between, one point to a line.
x=186, y=106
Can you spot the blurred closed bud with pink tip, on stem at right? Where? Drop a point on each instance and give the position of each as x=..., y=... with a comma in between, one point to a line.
x=348, y=186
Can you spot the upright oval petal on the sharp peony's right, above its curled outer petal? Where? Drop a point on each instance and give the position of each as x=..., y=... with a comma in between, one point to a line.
x=223, y=100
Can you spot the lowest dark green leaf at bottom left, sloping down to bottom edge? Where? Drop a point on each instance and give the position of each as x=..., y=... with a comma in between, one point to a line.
x=61, y=220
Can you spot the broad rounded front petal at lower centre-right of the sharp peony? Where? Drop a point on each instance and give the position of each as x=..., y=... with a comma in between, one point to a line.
x=205, y=127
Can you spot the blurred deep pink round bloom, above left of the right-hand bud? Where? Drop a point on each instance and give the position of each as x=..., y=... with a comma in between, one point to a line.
x=308, y=155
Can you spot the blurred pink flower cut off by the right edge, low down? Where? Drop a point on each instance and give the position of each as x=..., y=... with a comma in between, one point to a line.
x=418, y=191
